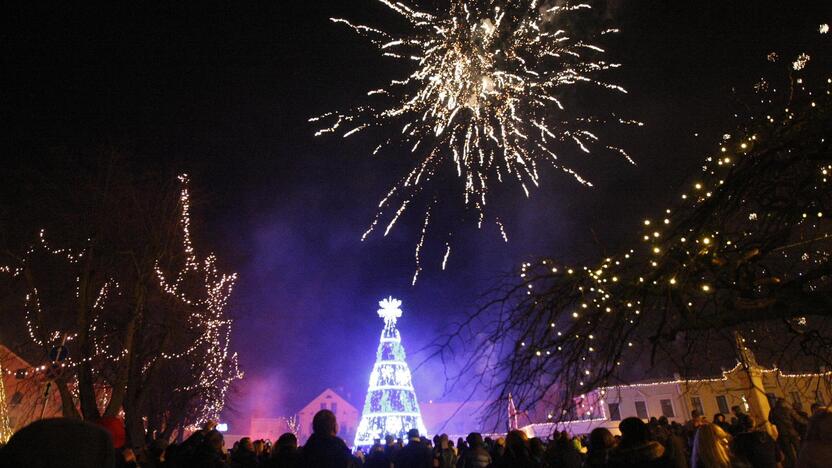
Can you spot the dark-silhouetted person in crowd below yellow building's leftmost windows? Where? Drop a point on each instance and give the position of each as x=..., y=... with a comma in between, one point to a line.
x=636, y=448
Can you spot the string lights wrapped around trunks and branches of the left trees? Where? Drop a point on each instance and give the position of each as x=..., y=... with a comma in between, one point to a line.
x=208, y=354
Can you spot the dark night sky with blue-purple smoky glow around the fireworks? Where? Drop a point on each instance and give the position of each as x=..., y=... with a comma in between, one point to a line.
x=223, y=90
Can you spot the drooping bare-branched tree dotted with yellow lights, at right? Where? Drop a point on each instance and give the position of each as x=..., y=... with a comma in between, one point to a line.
x=746, y=250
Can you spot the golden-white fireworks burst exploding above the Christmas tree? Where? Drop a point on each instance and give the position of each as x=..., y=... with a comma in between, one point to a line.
x=484, y=99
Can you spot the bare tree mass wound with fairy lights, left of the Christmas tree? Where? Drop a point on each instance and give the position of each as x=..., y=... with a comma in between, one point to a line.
x=144, y=318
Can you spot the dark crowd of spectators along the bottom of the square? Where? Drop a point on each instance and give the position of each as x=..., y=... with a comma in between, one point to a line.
x=801, y=441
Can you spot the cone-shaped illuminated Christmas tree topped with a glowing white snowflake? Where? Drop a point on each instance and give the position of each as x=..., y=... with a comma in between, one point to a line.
x=391, y=406
